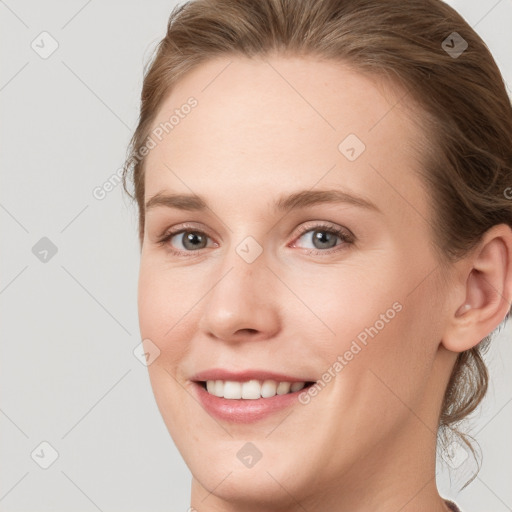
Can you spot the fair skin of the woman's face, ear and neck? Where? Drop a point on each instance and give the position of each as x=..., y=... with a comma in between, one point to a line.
x=261, y=129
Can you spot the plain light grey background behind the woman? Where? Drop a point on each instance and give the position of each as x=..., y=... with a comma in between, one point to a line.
x=69, y=325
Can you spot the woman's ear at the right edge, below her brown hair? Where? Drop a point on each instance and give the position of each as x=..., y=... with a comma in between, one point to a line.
x=483, y=291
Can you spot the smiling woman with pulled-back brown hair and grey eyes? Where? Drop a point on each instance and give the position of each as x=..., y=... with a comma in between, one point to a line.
x=325, y=246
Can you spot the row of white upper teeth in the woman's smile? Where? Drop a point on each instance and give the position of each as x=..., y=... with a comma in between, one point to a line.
x=252, y=389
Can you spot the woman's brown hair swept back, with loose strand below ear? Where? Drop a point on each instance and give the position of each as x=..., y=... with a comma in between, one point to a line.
x=465, y=109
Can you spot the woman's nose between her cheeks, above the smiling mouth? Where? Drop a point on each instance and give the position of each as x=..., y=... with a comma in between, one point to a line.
x=243, y=303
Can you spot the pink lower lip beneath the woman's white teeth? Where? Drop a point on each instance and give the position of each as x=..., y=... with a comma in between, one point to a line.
x=244, y=410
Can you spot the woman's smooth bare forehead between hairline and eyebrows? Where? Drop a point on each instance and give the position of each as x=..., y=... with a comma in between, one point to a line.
x=282, y=124
